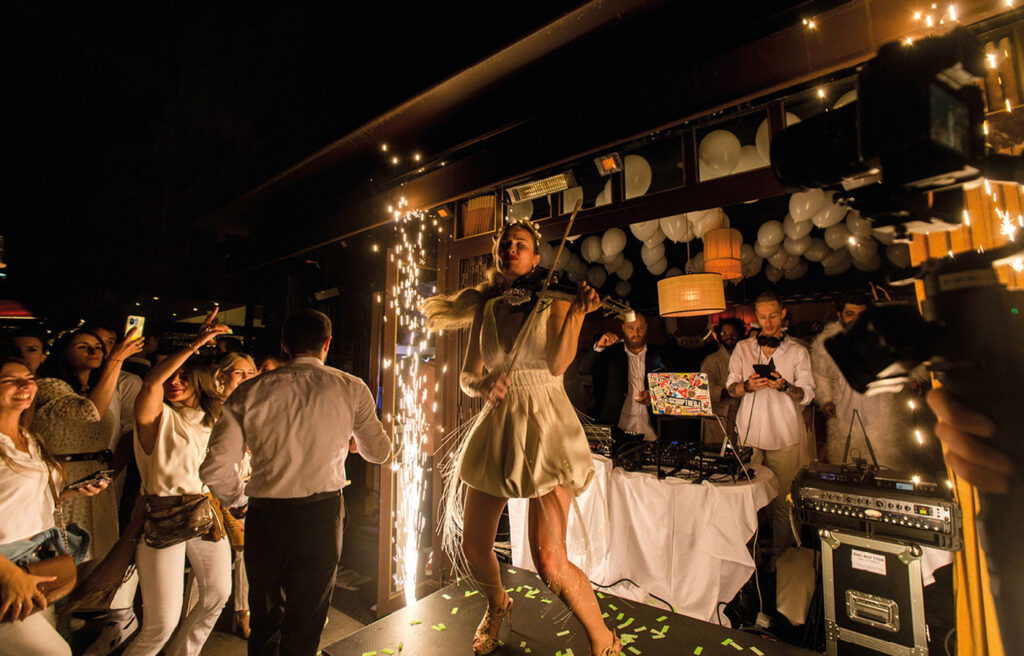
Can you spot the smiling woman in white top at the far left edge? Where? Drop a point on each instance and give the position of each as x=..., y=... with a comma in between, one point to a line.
x=27, y=509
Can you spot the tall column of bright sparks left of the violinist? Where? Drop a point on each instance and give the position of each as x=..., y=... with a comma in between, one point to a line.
x=411, y=427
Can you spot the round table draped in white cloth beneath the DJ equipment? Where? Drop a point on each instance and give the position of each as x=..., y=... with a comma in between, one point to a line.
x=676, y=540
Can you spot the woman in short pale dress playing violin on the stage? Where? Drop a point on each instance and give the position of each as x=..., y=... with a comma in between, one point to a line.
x=529, y=442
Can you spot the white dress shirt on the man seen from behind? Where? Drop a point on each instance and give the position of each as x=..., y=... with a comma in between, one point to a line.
x=296, y=421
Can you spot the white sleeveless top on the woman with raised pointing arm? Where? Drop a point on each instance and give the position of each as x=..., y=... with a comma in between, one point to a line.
x=173, y=468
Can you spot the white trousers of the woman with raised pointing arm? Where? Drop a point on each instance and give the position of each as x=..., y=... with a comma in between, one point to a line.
x=161, y=575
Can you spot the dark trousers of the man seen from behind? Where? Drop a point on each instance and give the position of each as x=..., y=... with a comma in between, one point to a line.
x=292, y=551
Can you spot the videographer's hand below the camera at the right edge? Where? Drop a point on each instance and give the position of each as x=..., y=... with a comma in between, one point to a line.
x=964, y=432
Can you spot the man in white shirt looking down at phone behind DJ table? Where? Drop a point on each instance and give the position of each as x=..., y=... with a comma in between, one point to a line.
x=771, y=417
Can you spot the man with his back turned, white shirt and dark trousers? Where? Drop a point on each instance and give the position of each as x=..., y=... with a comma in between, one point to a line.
x=297, y=422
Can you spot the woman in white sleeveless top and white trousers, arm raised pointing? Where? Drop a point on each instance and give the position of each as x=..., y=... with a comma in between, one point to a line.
x=175, y=413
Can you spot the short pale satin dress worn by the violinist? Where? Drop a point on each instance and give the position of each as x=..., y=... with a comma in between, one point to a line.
x=533, y=442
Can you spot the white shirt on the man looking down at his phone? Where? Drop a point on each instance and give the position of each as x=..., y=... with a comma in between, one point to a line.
x=769, y=419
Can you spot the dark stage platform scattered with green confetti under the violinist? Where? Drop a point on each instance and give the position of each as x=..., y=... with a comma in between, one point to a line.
x=443, y=625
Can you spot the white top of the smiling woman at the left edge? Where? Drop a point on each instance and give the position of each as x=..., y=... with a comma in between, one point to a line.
x=26, y=500
